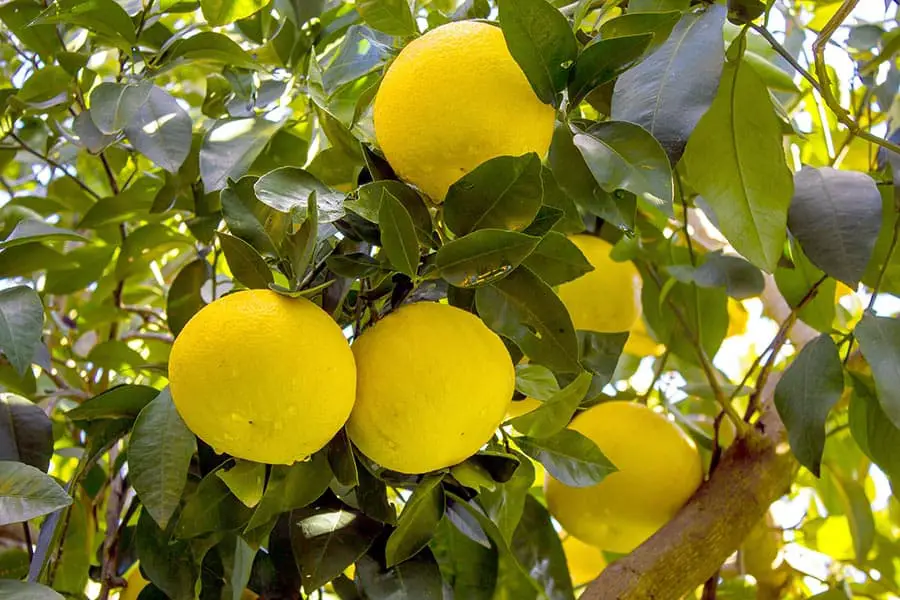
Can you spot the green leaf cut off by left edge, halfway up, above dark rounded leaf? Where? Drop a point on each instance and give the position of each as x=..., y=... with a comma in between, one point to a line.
x=21, y=321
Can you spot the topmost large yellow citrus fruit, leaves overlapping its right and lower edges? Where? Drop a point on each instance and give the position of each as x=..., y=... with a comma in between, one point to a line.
x=453, y=99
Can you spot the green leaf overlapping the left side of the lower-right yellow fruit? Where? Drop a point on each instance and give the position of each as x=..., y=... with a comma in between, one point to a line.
x=569, y=456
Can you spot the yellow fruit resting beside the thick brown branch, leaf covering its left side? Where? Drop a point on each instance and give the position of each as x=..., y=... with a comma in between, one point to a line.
x=659, y=469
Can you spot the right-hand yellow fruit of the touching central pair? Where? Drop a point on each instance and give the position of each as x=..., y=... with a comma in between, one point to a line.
x=433, y=385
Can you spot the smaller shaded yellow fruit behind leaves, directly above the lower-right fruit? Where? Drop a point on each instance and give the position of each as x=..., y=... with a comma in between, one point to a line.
x=607, y=299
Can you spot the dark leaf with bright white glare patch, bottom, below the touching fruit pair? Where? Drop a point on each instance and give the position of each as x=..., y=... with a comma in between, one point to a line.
x=328, y=539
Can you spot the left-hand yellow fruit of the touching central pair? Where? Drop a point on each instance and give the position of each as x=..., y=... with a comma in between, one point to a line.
x=254, y=366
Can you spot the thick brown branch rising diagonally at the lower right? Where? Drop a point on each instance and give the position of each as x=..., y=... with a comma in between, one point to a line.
x=754, y=472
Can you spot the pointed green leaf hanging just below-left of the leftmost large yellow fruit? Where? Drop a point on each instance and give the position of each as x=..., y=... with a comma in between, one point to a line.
x=159, y=455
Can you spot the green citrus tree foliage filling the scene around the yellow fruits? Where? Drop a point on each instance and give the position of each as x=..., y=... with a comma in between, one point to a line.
x=155, y=155
